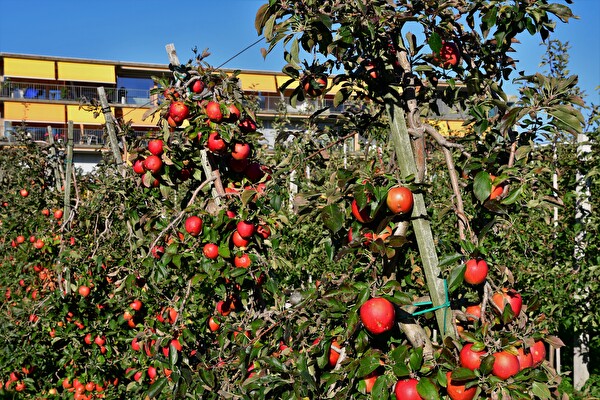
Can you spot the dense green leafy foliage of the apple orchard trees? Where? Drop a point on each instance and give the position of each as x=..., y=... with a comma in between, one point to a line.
x=287, y=325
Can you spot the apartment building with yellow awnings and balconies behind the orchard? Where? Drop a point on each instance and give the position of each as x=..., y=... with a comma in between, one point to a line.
x=43, y=93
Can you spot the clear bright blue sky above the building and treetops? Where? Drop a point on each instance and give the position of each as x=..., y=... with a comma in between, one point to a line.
x=136, y=30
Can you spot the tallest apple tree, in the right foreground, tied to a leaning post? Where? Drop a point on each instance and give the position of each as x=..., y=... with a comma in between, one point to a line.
x=408, y=61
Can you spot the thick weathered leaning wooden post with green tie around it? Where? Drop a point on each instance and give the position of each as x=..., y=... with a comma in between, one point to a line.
x=401, y=142
